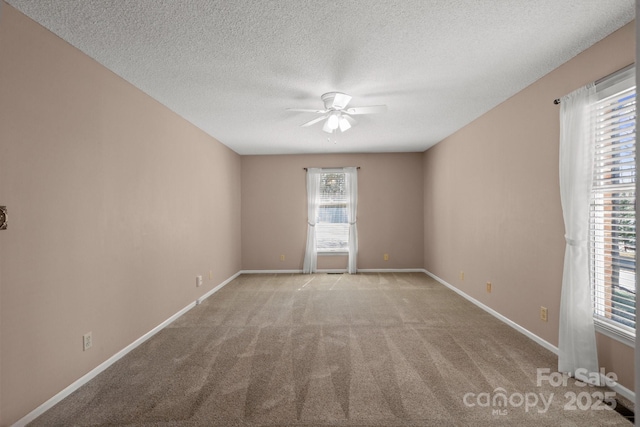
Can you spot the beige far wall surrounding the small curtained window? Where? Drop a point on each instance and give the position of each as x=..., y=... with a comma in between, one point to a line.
x=274, y=211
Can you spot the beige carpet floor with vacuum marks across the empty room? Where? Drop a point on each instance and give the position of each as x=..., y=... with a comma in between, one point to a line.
x=333, y=350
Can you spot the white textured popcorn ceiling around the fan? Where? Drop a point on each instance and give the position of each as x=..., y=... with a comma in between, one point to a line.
x=232, y=67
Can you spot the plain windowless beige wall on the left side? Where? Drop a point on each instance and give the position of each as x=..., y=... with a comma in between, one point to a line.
x=115, y=205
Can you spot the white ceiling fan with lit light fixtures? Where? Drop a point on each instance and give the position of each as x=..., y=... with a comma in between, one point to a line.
x=336, y=114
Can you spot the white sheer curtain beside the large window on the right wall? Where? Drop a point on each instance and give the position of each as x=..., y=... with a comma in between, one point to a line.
x=577, y=353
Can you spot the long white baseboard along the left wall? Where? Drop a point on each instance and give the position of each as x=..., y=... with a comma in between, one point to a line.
x=113, y=359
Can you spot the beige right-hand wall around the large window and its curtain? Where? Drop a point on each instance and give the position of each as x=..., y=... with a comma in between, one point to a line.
x=492, y=201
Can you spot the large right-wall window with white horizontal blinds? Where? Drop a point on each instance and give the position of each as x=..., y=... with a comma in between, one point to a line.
x=612, y=213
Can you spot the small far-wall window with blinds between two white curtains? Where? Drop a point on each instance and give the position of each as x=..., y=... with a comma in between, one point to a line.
x=332, y=224
